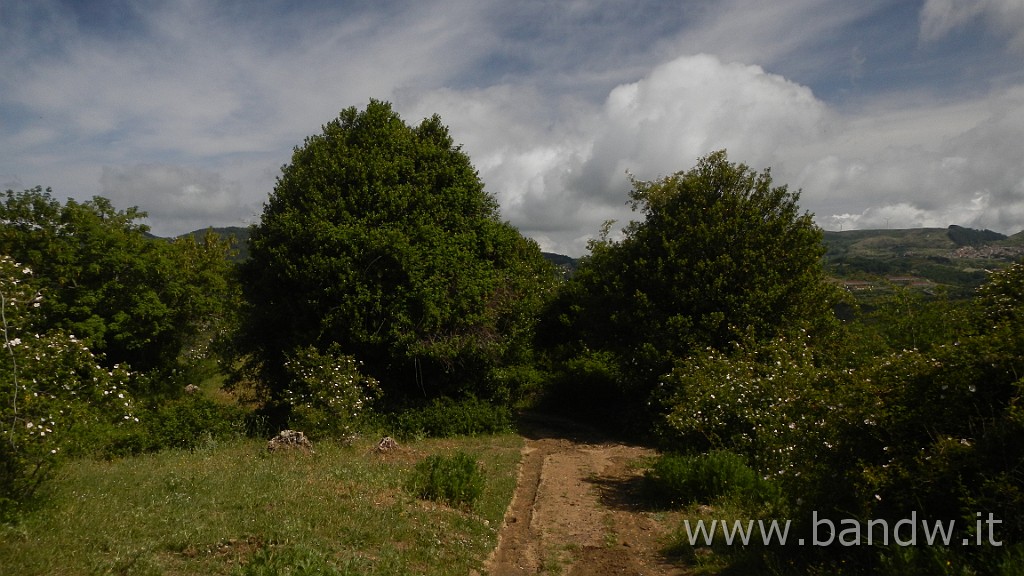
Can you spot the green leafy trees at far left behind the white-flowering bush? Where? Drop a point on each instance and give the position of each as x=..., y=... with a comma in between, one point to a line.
x=135, y=300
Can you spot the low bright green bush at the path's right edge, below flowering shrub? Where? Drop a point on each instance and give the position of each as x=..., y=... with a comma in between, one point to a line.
x=680, y=480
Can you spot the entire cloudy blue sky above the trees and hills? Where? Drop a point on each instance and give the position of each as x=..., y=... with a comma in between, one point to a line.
x=882, y=113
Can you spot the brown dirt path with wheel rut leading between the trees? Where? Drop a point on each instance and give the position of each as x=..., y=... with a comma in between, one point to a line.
x=577, y=510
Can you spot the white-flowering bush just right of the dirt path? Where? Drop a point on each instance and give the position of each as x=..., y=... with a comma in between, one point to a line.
x=764, y=400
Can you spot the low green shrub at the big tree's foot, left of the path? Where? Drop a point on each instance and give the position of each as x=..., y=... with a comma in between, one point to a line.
x=447, y=418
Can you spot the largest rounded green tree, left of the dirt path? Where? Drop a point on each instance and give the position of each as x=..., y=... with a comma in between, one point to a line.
x=380, y=238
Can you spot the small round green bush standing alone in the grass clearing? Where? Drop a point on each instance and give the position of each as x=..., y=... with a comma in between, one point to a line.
x=455, y=480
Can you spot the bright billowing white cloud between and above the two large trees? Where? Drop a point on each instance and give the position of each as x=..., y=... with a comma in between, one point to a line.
x=560, y=180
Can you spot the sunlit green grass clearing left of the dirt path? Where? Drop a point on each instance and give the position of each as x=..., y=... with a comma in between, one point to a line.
x=233, y=509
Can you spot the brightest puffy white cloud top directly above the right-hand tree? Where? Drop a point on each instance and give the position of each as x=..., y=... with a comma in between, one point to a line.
x=696, y=105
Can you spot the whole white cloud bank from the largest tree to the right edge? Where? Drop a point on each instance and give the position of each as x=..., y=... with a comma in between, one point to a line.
x=893, y=164
